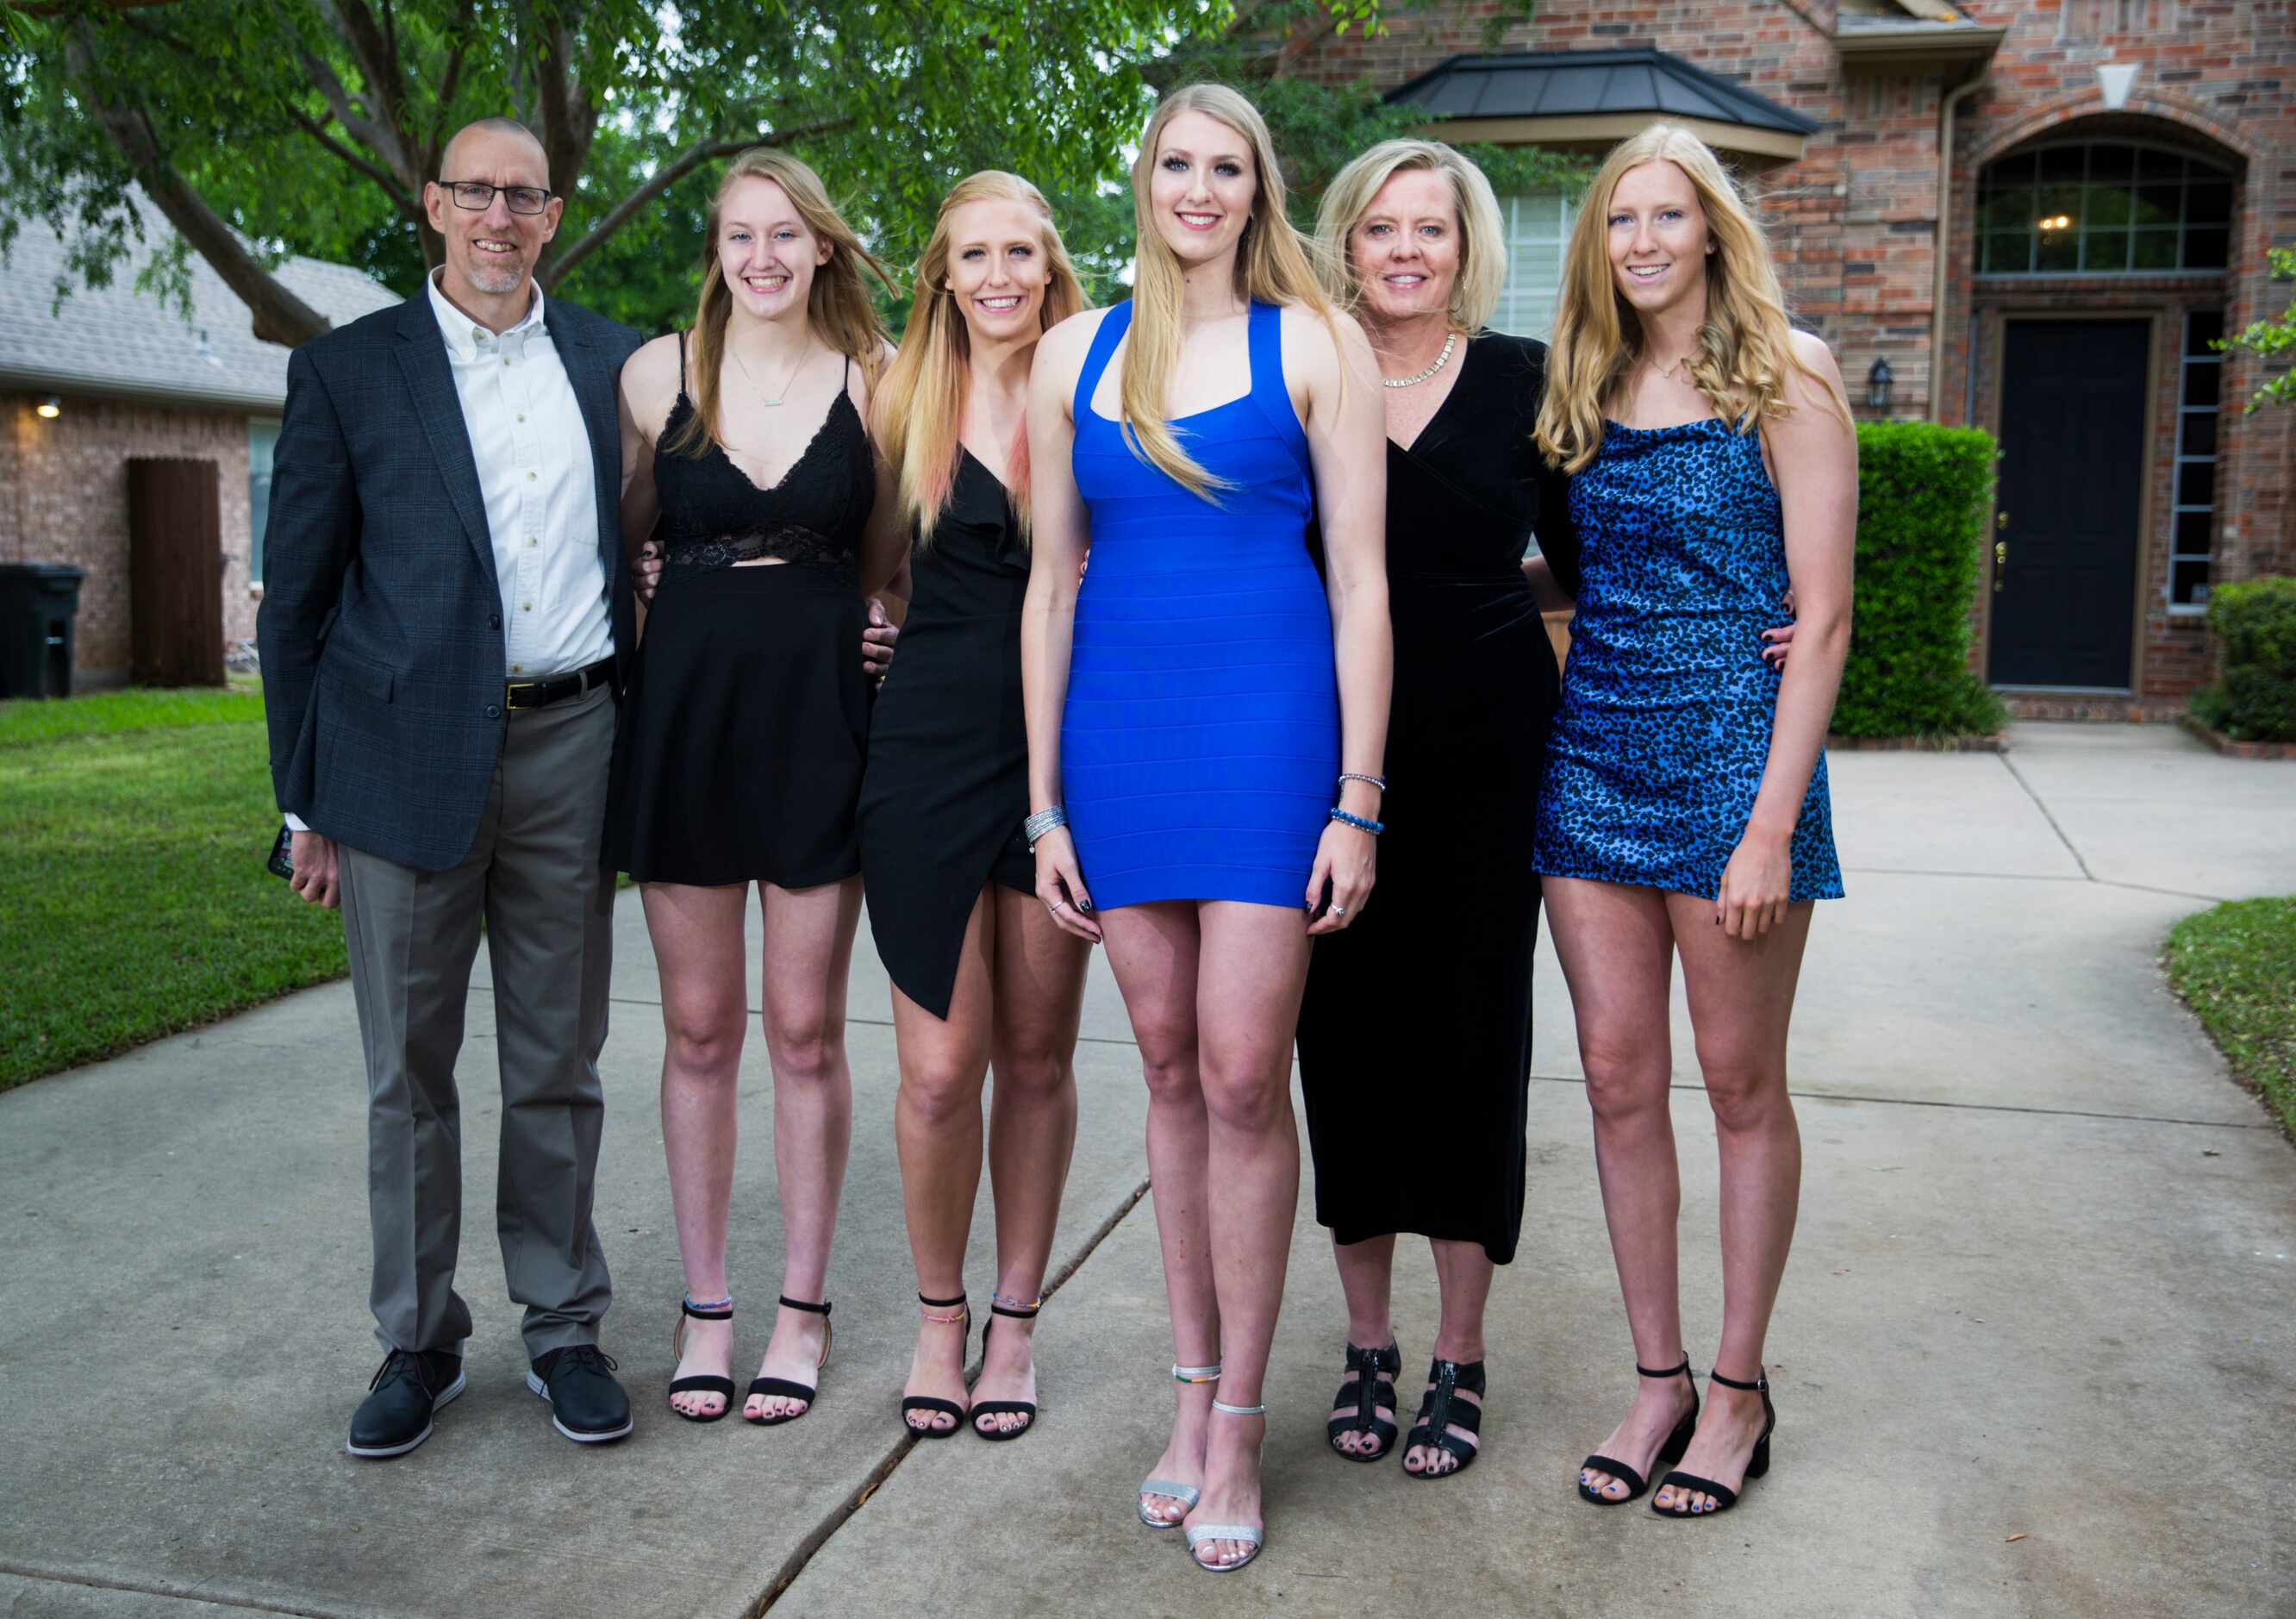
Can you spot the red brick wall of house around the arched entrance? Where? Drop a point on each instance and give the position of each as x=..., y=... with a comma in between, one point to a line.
x=1854, y=222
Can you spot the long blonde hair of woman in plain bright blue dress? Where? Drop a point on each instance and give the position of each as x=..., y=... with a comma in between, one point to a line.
x=1273, y=265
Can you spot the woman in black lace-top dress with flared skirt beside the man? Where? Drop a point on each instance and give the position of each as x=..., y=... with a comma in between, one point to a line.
x=745, y=734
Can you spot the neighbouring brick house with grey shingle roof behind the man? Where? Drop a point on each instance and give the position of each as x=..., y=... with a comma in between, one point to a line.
x=114, y=375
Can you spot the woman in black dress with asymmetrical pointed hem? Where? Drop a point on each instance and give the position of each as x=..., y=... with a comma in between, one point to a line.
x=982, y=973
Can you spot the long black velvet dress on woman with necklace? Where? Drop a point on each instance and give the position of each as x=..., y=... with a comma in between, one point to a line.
x=1415, y=1035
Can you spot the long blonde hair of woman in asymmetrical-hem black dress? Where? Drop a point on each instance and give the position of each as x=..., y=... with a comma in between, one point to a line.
x=920, y=405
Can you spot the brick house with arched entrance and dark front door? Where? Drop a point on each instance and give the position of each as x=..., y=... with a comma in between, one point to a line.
x=2113, y=176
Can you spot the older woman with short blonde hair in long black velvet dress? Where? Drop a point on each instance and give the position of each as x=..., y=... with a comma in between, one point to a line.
x=1420, y=238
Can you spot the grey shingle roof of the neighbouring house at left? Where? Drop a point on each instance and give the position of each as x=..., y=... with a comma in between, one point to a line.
x=123, y=343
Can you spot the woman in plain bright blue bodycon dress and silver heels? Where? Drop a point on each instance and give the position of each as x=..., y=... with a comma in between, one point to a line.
x=1207, y=718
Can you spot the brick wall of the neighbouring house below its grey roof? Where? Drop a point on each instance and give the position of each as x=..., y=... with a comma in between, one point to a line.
x=65, y=499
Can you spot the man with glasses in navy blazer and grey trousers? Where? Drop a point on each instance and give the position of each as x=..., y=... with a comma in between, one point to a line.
x=444, y=614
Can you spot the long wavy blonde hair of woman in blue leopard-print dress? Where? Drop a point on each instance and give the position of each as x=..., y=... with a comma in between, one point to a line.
x=1746, y=348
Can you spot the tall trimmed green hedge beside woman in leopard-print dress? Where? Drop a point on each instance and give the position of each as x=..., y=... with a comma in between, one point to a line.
x=1923, y=497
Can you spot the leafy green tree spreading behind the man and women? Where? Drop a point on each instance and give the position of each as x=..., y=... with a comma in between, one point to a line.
x=272, y=127
